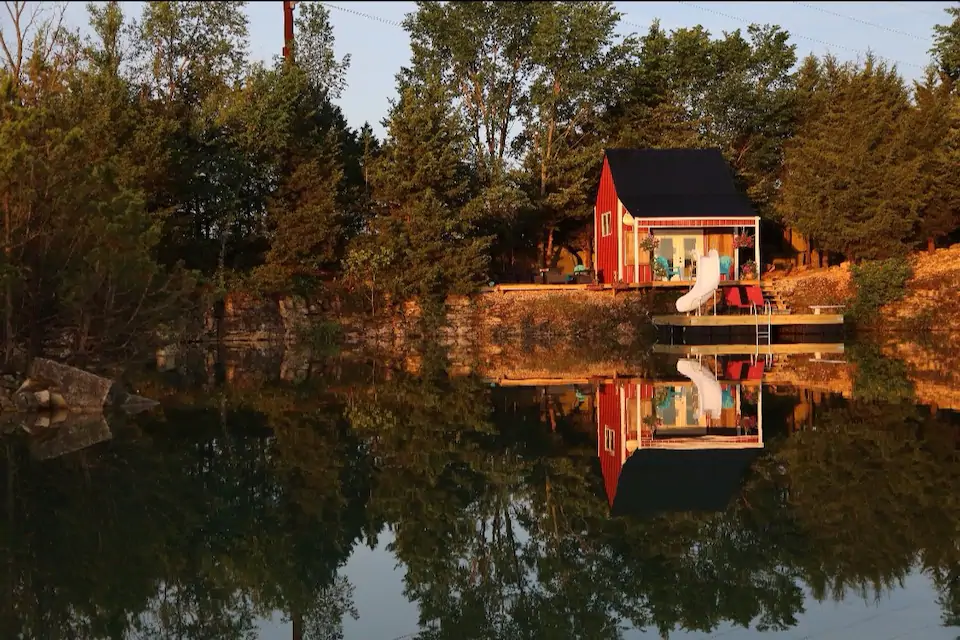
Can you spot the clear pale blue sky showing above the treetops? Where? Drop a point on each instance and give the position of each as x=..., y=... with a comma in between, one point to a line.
x=370, y=32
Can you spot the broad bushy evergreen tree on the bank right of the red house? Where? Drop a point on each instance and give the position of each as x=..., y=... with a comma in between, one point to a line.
x=850, y=179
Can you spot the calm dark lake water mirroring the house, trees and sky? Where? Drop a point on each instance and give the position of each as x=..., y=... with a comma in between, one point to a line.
x=729, y=497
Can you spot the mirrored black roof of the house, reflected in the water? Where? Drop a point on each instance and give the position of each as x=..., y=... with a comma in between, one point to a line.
x=656, y=481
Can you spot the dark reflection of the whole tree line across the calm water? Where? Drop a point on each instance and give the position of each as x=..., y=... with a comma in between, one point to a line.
x=197, y=527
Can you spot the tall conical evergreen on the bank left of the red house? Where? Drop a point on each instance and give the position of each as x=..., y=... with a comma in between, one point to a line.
x=421, y=186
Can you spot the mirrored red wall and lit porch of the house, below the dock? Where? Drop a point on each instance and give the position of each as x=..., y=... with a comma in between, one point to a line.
x=664, y=415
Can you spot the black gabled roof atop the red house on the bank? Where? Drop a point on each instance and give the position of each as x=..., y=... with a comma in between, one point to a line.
x=676, y=183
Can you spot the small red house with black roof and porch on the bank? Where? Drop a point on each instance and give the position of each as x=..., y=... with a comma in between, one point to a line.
x=687, y=199
